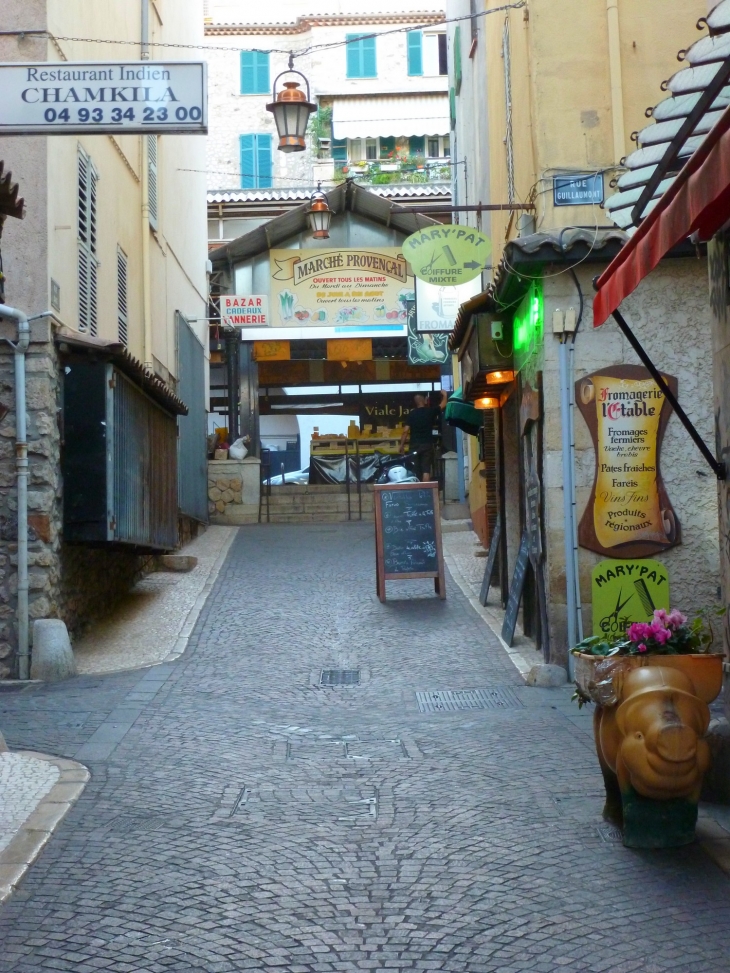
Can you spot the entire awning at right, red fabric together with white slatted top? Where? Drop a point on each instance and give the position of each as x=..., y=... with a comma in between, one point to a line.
x=678, y=181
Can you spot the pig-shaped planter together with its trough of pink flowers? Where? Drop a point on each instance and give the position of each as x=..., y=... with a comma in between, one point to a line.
x=652, y=688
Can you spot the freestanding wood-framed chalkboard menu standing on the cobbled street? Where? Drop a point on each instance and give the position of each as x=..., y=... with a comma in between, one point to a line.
x=408, y=534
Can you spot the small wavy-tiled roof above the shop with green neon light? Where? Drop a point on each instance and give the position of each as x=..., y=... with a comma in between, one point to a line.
x=575, y=243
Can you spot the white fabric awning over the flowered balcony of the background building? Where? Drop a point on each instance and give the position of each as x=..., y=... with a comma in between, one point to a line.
x=390, y=115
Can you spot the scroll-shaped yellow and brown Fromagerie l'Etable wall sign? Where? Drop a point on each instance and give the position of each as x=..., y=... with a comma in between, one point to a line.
x=629, y=513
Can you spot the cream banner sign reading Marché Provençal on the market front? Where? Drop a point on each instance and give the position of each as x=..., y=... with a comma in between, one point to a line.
x=344, y=288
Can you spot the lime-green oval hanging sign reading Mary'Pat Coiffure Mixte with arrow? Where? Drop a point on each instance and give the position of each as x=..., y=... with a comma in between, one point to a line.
x=447, y=254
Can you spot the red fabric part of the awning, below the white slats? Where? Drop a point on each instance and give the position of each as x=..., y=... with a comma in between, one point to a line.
x=697, y=201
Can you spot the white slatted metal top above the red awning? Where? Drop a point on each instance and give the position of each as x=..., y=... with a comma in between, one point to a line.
x=653, y=158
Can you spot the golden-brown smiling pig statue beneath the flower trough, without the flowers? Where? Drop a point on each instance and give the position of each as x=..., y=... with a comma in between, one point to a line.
x=652, y=753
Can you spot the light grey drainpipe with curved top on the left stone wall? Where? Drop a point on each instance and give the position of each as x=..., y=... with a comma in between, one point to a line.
x=21, y=467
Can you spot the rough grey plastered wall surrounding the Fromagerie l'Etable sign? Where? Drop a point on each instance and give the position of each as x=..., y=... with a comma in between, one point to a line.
x=670, y=315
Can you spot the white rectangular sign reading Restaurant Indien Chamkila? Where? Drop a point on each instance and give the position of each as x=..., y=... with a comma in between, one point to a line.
x=113, y=97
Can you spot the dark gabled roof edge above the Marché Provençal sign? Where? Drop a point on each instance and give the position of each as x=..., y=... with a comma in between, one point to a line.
x=347, y=197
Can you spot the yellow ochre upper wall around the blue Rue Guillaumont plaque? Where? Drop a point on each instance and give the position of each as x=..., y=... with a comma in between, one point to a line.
x=567, y=93
